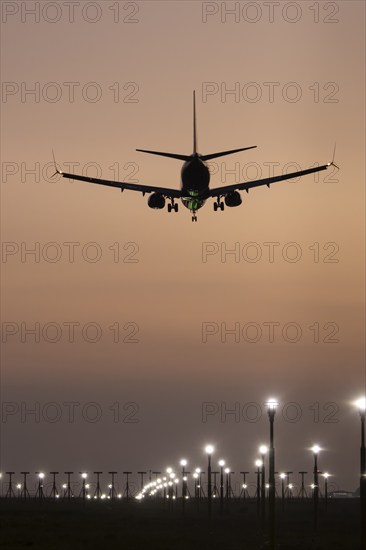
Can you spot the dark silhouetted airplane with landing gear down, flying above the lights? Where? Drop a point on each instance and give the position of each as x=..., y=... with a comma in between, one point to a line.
x=195, y=180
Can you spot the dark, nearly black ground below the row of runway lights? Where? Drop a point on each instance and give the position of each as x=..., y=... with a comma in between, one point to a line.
x=60, y=525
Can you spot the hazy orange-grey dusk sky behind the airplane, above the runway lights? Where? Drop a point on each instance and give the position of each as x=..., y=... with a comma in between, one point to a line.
x=137, y=301
